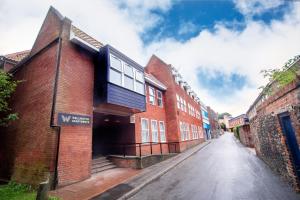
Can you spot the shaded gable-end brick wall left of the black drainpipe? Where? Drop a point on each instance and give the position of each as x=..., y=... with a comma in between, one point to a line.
x=28, y=146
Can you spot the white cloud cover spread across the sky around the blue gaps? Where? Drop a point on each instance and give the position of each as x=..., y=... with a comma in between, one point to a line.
x=246, y=52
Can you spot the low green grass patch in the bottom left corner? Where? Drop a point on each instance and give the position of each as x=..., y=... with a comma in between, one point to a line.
x=19, y=191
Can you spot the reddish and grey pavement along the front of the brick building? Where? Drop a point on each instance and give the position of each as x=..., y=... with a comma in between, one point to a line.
x=120, y=182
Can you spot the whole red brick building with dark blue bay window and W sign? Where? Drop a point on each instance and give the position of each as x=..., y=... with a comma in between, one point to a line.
x=80, y=100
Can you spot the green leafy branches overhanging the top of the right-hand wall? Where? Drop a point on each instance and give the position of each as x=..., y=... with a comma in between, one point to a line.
x=282, y=76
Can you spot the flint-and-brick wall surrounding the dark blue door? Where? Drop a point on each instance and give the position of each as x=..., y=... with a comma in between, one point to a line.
x=269, y=140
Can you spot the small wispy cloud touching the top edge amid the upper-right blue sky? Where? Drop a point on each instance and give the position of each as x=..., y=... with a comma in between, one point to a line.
x=256, y=7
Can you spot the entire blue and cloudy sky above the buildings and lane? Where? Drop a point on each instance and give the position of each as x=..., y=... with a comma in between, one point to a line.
x=218, y=46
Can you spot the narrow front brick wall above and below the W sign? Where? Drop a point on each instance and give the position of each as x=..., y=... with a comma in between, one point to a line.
x=74, y=95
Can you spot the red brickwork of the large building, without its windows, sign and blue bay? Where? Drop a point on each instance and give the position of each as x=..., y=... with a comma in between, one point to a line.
x=58, y=77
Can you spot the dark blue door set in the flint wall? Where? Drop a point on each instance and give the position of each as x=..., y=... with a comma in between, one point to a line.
x=293, y=146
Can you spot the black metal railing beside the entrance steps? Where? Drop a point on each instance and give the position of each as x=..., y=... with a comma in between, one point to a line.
x=142, y=149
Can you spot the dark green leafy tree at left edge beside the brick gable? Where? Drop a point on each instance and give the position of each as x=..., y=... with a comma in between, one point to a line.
x=7, y=87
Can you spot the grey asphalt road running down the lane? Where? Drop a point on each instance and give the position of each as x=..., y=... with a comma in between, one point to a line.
x=224, y=170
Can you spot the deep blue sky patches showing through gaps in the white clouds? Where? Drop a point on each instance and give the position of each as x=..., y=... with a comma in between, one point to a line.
x=186, y=19
